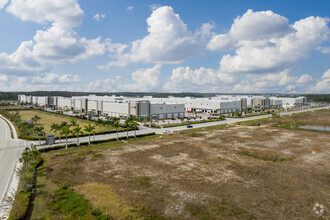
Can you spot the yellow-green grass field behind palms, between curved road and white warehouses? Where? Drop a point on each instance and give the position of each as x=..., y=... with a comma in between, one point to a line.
x=47, y=118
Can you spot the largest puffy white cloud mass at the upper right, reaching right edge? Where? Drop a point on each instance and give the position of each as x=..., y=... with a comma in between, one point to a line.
x=271, y=52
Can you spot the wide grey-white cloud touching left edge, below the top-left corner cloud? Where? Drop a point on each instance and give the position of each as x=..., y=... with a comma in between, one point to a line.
x=58, y=44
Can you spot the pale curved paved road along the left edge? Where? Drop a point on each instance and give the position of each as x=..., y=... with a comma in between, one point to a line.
x=10, y=150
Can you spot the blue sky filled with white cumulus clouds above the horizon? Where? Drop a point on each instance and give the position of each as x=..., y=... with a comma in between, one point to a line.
x=240, y=46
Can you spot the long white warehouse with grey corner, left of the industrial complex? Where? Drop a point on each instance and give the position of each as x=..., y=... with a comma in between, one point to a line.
x=113, y=106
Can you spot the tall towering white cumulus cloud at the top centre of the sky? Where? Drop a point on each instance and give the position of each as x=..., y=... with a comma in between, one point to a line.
x=168, y=41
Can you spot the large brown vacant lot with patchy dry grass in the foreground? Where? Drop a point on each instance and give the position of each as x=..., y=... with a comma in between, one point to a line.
x=239, y=172
